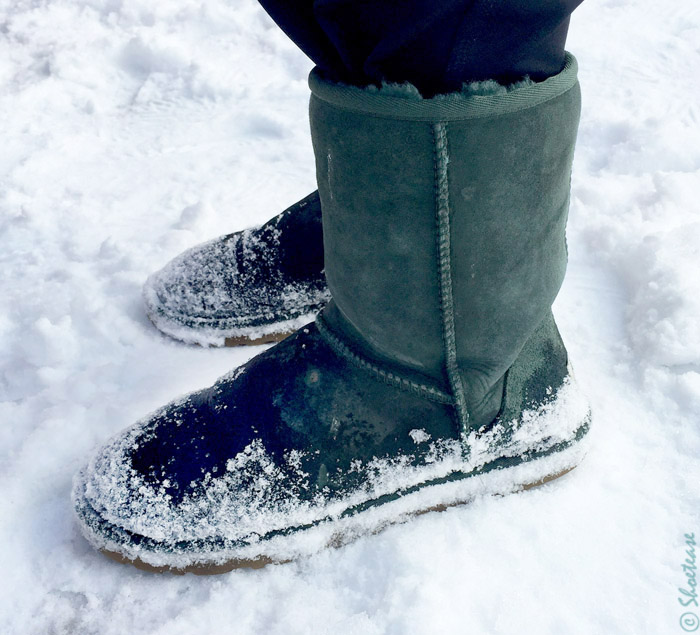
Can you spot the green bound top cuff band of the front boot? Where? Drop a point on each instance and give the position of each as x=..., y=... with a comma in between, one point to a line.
x=450, y=107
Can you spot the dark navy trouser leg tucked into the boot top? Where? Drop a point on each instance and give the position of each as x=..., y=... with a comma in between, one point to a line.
x=435, y=44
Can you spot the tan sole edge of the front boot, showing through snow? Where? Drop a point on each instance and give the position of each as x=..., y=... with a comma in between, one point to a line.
x=336, y=541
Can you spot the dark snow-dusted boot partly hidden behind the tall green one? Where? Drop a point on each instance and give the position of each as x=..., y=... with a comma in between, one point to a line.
x=251, y=287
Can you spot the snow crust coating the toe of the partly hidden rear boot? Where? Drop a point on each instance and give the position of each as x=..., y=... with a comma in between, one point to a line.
x=214, y=291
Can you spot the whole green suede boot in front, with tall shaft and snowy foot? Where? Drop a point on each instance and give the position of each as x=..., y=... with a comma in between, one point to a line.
x=436, y=373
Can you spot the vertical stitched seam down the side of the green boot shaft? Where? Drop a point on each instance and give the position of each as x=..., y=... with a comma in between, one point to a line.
x=442, y=204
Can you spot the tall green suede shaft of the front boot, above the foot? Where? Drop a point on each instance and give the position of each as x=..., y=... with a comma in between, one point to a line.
x=444, y=224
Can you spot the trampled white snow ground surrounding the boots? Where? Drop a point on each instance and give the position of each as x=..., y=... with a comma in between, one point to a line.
x=131, y=133
